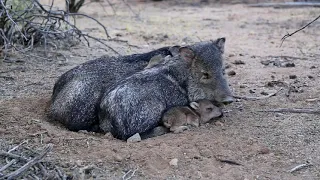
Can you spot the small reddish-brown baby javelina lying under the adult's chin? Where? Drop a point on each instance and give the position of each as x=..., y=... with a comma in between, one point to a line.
x=178, y=118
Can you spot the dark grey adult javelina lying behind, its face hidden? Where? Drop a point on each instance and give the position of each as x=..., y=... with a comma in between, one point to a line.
x=76, y=94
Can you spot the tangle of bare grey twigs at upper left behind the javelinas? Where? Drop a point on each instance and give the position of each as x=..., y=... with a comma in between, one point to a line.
x=35, y=24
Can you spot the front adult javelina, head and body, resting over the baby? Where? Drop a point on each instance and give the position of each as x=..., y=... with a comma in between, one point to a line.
x=136, y=104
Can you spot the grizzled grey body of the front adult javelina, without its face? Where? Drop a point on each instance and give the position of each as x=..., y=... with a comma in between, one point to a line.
x=137, y=103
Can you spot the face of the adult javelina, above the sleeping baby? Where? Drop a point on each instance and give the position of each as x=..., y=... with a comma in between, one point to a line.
x=207, y=80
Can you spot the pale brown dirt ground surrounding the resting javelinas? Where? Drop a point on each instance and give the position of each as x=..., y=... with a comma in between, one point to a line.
x=267, y=145
